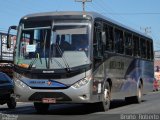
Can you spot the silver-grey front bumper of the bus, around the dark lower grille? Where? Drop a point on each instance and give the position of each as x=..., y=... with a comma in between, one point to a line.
x=24, y=93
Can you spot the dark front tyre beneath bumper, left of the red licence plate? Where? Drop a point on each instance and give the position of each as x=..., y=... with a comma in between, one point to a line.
x=41, y=107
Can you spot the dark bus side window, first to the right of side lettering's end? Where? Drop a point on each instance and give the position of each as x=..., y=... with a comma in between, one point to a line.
x=128, y=44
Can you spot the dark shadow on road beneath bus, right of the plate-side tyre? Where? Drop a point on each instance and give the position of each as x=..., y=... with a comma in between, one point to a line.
x=82, y=109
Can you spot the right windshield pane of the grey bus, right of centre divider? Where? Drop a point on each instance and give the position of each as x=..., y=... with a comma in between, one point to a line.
x=70, y=44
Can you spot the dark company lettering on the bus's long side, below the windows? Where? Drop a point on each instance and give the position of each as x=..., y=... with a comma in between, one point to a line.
x=116, y=65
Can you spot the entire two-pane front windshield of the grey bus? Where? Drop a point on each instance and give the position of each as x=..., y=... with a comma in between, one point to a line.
x=57, y=47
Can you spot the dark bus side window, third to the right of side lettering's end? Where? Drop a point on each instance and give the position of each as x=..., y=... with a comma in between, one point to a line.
x=143, y=48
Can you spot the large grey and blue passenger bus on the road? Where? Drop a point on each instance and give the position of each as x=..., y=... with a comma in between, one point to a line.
x=77, y=57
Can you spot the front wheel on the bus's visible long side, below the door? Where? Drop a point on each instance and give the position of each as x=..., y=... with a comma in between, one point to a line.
x=105, y=104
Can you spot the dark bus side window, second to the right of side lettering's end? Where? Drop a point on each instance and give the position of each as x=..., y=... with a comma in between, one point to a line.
x=136, y=48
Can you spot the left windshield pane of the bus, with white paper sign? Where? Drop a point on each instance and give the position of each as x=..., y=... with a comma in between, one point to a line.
x=33, y=47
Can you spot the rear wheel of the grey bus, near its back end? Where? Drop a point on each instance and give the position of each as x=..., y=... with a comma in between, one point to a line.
x=138, y=98
